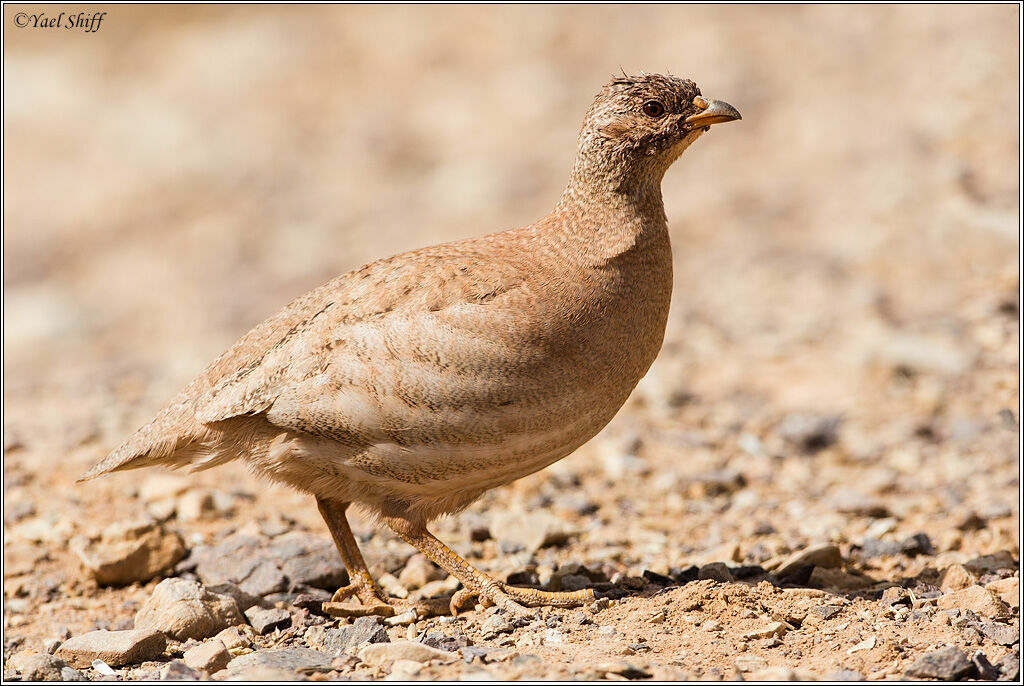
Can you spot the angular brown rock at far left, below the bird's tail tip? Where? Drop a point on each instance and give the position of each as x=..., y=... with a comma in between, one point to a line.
x=123, y=554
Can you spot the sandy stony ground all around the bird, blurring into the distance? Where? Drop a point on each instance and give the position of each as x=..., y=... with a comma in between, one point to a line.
x=820, y=478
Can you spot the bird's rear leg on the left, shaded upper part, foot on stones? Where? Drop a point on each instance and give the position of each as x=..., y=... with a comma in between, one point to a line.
x=361, y=583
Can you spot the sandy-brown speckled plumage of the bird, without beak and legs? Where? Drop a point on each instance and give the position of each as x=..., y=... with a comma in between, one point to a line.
x=417, y=382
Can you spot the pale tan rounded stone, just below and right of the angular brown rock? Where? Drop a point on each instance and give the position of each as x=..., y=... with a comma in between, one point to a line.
x=185, y=610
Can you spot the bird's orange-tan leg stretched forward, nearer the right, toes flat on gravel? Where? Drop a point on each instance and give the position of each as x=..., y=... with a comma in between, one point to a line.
x=477, y=584
